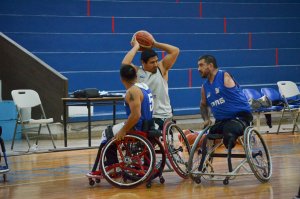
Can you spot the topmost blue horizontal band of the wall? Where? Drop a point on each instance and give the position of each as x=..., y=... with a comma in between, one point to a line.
x=150, y=8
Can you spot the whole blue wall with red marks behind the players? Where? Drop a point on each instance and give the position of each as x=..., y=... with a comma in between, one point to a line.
x=257, y=41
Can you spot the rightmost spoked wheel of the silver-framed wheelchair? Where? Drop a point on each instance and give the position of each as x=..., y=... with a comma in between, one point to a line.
x=258, y=155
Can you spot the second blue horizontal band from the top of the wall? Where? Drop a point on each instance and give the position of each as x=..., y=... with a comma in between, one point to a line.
x=54, y=24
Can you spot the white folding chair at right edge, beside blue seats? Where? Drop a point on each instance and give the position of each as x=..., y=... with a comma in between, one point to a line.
x=291, y=97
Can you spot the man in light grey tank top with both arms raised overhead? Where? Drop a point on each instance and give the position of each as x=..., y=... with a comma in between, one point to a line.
x=154, y=73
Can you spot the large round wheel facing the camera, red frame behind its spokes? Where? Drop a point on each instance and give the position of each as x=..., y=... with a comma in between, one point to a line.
x=127, y=163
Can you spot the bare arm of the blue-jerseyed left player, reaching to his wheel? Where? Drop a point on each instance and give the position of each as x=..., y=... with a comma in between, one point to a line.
x=133, y=98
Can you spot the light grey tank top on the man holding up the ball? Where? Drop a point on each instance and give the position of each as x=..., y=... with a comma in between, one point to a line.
x=160, y=91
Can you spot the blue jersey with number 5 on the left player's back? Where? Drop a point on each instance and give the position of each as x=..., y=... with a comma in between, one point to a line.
x=146, y=106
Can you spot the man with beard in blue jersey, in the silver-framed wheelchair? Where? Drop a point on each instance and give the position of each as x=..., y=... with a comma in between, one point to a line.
x=223, y=96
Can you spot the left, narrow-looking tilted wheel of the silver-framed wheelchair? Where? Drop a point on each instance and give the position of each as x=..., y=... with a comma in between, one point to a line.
x=195, y=155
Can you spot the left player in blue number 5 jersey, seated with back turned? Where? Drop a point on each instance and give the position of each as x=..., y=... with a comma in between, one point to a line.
x=139, y=108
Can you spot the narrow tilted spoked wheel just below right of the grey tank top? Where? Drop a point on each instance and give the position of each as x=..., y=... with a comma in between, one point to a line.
x=177, y=151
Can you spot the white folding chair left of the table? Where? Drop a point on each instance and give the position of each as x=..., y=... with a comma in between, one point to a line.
x=25, y=100
